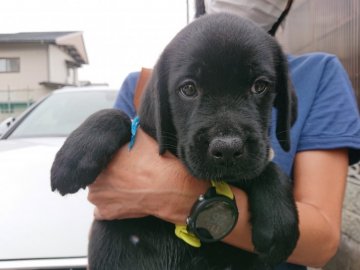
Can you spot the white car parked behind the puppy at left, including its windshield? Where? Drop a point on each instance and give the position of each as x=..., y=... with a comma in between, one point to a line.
x=40, y=229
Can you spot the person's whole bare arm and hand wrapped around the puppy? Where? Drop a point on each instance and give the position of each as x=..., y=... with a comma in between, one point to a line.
x=140, y=183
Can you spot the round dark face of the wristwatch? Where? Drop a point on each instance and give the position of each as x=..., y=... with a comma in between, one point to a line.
x=215, y=220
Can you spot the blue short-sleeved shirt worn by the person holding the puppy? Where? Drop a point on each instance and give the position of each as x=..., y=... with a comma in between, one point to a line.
x=328, y=116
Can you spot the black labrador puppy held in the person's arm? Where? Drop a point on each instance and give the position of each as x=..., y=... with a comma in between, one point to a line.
x=209, y=102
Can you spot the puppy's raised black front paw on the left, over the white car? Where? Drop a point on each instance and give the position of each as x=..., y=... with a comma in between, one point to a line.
x=88, y=150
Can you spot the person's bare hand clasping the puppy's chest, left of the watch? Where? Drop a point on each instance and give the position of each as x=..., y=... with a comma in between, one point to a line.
x=140, y=182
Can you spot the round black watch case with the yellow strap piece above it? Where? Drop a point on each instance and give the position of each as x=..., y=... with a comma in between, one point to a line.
x=214, y=214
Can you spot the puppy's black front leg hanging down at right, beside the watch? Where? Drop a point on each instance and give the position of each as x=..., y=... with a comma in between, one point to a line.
x=275, y=228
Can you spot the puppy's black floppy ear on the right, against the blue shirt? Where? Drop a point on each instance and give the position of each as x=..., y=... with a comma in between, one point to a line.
x=285, y=103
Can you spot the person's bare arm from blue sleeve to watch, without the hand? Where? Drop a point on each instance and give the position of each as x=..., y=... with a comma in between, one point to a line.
x=320, y=178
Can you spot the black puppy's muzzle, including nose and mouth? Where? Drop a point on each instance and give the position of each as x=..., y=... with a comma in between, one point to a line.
x=230, y=158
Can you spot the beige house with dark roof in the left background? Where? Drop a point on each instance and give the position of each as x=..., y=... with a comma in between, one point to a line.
x=33, y=64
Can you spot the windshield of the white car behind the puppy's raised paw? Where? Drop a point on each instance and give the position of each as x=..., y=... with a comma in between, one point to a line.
x=61, y=113
